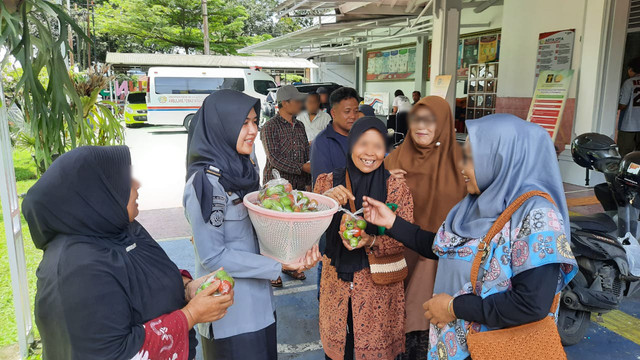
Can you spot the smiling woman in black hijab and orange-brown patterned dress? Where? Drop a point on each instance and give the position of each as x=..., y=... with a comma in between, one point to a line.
x=357, y=314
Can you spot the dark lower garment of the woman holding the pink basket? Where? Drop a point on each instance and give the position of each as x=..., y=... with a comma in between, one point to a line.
x=257, y=345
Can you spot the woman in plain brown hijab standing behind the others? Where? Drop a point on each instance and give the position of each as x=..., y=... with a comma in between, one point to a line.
x=427, y=159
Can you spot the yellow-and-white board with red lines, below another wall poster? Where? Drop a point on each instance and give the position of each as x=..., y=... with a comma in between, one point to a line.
x=549, y=99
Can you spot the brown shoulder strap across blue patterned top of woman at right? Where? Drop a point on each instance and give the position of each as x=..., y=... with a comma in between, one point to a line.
x=483, y=246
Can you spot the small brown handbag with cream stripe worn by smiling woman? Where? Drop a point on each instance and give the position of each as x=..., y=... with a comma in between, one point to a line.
x=385, y=270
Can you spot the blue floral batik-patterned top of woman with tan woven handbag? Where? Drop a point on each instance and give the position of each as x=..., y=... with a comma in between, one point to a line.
x=538, y=240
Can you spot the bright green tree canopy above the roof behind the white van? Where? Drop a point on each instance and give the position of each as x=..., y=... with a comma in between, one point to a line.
x=171, y=26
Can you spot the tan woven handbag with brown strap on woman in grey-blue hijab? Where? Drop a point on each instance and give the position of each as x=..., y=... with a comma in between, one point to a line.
x=534, y=341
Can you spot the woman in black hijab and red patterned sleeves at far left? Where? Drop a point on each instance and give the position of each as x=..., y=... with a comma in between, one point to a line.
x=106, y=289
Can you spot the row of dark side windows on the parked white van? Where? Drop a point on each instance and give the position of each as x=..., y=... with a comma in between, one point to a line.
x=193, y=85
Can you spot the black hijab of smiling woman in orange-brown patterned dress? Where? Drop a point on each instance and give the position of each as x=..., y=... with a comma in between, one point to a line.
x=373, y=184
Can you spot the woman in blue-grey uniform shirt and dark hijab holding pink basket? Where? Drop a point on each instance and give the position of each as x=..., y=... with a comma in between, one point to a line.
x=220, y=172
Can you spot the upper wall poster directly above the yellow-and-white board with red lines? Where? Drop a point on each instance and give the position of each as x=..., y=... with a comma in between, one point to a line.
x=555, y=50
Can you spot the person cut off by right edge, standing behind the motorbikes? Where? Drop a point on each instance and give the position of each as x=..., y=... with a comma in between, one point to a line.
x=629, y=106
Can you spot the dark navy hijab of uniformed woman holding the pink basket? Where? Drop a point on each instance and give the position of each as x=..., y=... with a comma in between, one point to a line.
x=213, y=134
